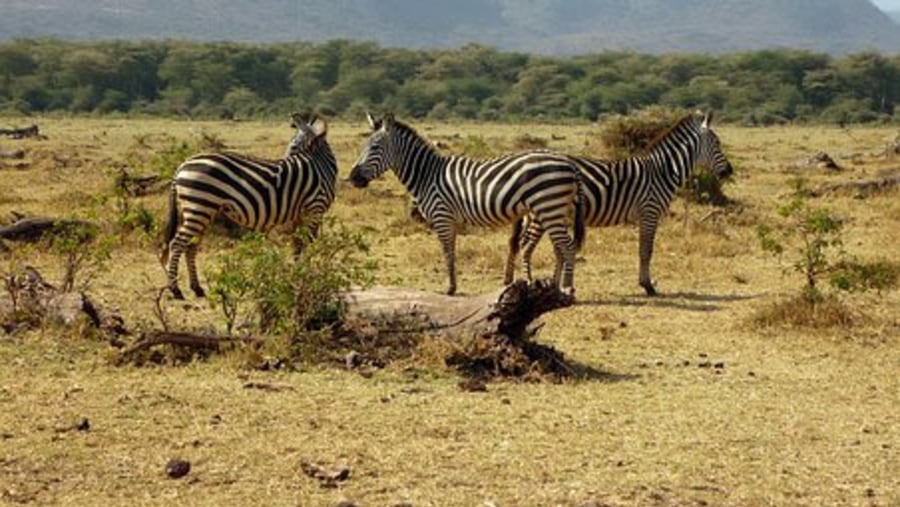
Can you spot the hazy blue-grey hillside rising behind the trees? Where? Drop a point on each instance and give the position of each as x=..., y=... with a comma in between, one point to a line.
x=539, y=26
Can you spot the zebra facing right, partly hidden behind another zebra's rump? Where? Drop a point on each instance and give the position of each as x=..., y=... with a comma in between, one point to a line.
x=637, y=188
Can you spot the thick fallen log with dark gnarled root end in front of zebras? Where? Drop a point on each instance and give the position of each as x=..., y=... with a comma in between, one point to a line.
x=490, y=335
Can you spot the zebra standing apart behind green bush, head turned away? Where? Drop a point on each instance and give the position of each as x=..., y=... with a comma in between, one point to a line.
x=256, y=194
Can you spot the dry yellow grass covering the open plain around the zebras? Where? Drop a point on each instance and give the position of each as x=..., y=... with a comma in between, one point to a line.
x=693, y=405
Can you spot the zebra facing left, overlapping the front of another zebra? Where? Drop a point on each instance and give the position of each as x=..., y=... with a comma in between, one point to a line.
x=452, y=190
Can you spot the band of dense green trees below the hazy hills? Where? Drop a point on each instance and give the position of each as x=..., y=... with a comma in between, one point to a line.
x=346, y=78
